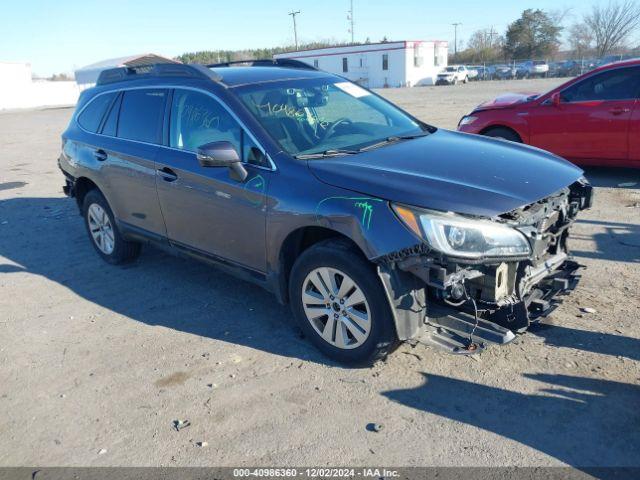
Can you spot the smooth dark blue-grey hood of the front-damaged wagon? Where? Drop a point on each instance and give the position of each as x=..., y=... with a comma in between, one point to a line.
x=451, y=171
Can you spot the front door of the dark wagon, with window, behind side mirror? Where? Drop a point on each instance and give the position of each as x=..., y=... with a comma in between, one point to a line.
x=204, y=208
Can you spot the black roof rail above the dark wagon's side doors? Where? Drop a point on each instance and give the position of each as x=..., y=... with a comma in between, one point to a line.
x=121, y=74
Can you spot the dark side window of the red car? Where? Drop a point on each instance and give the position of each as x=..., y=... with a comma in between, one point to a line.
x=618, y=84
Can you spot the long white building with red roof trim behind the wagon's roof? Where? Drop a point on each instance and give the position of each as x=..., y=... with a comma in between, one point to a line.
x=380, y=65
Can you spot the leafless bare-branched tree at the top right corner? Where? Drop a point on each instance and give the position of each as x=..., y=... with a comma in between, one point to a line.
x=612, y=24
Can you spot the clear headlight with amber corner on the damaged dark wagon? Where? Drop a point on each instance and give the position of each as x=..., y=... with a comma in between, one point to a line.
x=463, y=237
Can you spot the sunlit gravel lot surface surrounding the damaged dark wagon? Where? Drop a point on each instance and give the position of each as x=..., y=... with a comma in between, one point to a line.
x=97, y=362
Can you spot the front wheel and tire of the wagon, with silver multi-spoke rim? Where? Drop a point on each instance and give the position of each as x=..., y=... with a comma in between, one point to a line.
x=340, y=304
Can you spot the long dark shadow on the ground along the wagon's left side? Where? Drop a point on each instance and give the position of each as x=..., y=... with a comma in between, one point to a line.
x=46, y=237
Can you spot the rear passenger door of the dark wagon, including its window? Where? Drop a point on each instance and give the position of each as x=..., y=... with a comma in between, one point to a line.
x=131, y=136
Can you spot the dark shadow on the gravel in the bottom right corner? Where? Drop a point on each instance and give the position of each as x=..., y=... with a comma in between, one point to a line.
x=579, y=421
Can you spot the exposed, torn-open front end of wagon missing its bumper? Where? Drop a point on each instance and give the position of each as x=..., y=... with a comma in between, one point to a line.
x=462, y=306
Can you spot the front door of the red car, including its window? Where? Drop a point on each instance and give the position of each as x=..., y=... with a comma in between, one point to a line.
x=591, y=124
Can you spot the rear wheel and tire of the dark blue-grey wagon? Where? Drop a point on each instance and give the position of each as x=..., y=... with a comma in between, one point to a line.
x=103, y=231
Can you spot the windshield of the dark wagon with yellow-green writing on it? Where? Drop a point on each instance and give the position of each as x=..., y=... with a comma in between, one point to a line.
x=314, y=116
